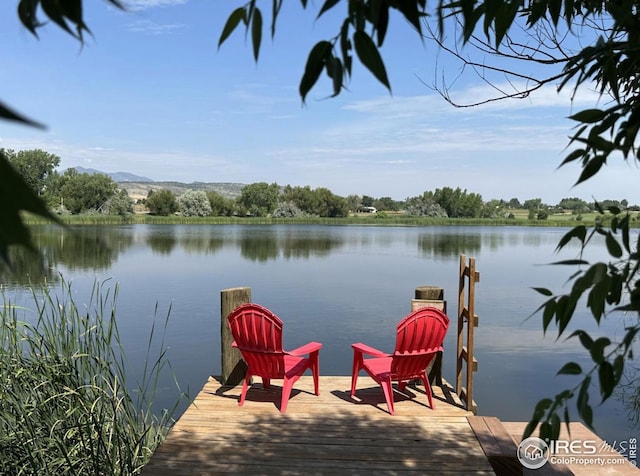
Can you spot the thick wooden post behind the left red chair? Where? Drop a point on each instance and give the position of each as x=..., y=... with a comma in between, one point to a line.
x=233, y=367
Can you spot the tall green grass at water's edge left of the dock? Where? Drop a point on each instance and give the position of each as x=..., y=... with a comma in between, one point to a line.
x=66, y=406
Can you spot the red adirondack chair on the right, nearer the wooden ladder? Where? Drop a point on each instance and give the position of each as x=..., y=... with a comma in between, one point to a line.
x=419, y=338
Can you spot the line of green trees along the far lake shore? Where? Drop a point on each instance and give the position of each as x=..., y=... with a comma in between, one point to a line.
x=74, y=193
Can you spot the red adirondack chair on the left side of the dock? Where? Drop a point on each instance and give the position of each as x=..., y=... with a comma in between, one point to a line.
x=258, y=335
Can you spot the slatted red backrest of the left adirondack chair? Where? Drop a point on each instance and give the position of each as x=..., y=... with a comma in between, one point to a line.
x=257, y=333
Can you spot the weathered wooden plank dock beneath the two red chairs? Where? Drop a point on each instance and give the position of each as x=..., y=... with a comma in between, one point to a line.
x=331, y=434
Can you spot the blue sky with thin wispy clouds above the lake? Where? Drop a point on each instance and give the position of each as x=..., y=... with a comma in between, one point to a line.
x=150, y=94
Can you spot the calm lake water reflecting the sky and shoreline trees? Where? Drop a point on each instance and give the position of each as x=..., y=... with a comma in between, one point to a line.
x=336, y=285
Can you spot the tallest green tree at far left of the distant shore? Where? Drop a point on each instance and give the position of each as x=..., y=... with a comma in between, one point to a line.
x=36, y=166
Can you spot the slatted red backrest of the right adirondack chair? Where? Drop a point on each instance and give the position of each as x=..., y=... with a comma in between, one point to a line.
x=419, y=338
